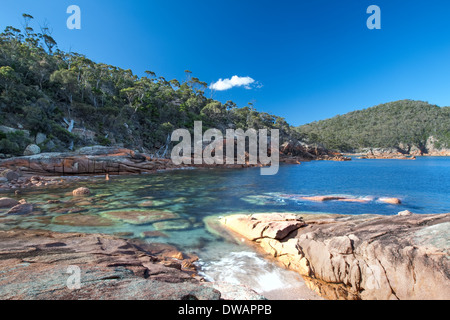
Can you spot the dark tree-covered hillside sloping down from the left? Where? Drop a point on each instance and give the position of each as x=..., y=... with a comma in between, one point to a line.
x=68, y=100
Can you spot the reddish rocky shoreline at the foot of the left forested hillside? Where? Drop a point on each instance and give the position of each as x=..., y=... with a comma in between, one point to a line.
x=56, y=169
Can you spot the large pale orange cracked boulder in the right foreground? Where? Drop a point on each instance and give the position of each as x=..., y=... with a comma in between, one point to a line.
x=356, y=257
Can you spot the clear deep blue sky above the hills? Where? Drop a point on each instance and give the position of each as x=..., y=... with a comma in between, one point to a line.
x=310, y=60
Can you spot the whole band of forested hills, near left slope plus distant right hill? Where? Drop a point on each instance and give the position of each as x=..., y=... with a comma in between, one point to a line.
x=62, y=101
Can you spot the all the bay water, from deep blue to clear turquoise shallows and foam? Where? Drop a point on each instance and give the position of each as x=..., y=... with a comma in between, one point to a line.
x=423, y=186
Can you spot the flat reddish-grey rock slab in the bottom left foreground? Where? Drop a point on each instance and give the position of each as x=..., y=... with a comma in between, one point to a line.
x=38, y=265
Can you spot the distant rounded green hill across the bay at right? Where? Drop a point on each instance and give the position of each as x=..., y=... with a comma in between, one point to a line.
x=403, y=125
